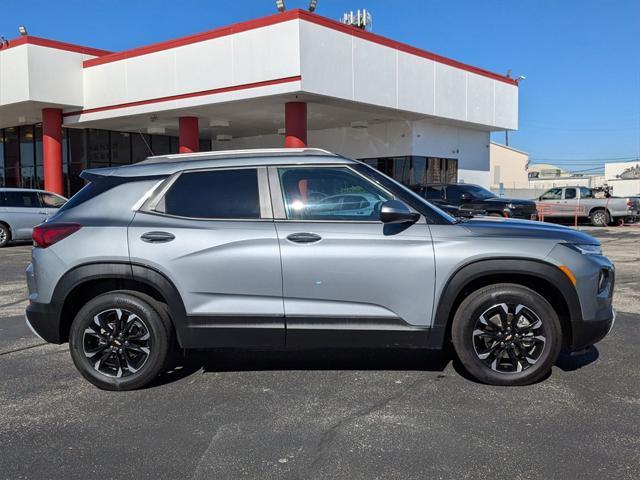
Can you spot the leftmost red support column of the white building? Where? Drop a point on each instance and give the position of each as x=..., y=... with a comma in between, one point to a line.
x=52, y=149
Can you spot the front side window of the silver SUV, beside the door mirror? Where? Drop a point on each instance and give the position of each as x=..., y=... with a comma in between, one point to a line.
x=330, y=194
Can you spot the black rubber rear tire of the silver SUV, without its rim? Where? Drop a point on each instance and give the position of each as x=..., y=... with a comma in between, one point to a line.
x=150, y=317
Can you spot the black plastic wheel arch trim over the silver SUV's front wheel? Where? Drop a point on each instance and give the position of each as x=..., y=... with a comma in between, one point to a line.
x=542, y=277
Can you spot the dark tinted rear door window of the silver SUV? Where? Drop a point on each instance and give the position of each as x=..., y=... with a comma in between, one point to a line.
x=214, y=194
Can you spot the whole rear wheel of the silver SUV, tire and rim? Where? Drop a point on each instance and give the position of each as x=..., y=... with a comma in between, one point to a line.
x=129, y=361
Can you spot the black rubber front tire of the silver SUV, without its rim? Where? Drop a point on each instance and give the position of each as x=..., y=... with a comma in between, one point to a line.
x=465, y=321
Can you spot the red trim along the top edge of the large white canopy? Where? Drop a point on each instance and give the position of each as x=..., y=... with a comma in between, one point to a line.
x=291, y=15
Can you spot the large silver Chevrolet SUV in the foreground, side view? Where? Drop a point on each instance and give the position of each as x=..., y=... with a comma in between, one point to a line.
x=299, y=248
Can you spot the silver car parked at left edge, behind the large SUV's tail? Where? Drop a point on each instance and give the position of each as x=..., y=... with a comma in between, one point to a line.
x=21, y=209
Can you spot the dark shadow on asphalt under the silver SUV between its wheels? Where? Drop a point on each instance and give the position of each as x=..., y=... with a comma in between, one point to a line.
x=243, y=360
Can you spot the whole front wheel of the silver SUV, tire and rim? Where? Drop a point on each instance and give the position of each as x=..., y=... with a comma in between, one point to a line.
x=476, y=337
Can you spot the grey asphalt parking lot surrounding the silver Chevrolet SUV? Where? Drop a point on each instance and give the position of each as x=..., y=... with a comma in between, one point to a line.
x=323, y=413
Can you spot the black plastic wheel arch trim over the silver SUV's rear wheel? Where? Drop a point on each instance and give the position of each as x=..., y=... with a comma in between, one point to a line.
x=87, y=281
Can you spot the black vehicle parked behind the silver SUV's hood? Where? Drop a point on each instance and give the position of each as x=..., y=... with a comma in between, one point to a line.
x=477, y=200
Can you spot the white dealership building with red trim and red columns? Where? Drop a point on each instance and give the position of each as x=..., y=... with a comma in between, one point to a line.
x=291, y=79
